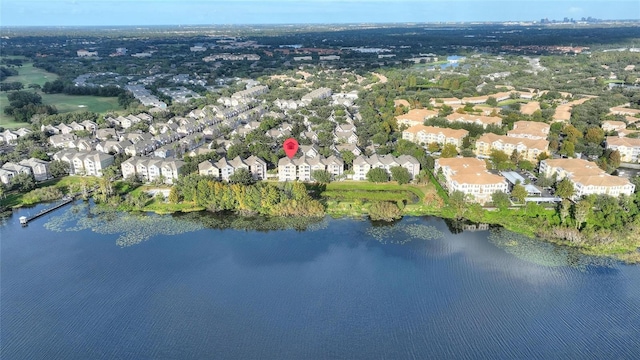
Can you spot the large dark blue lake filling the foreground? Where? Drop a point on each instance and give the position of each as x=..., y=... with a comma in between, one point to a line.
x=80, y=284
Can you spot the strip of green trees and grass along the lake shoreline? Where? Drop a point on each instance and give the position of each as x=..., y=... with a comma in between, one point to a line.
x=386, y=202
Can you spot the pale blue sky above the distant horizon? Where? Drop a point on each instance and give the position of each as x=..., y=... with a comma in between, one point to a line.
x=227, y=12
